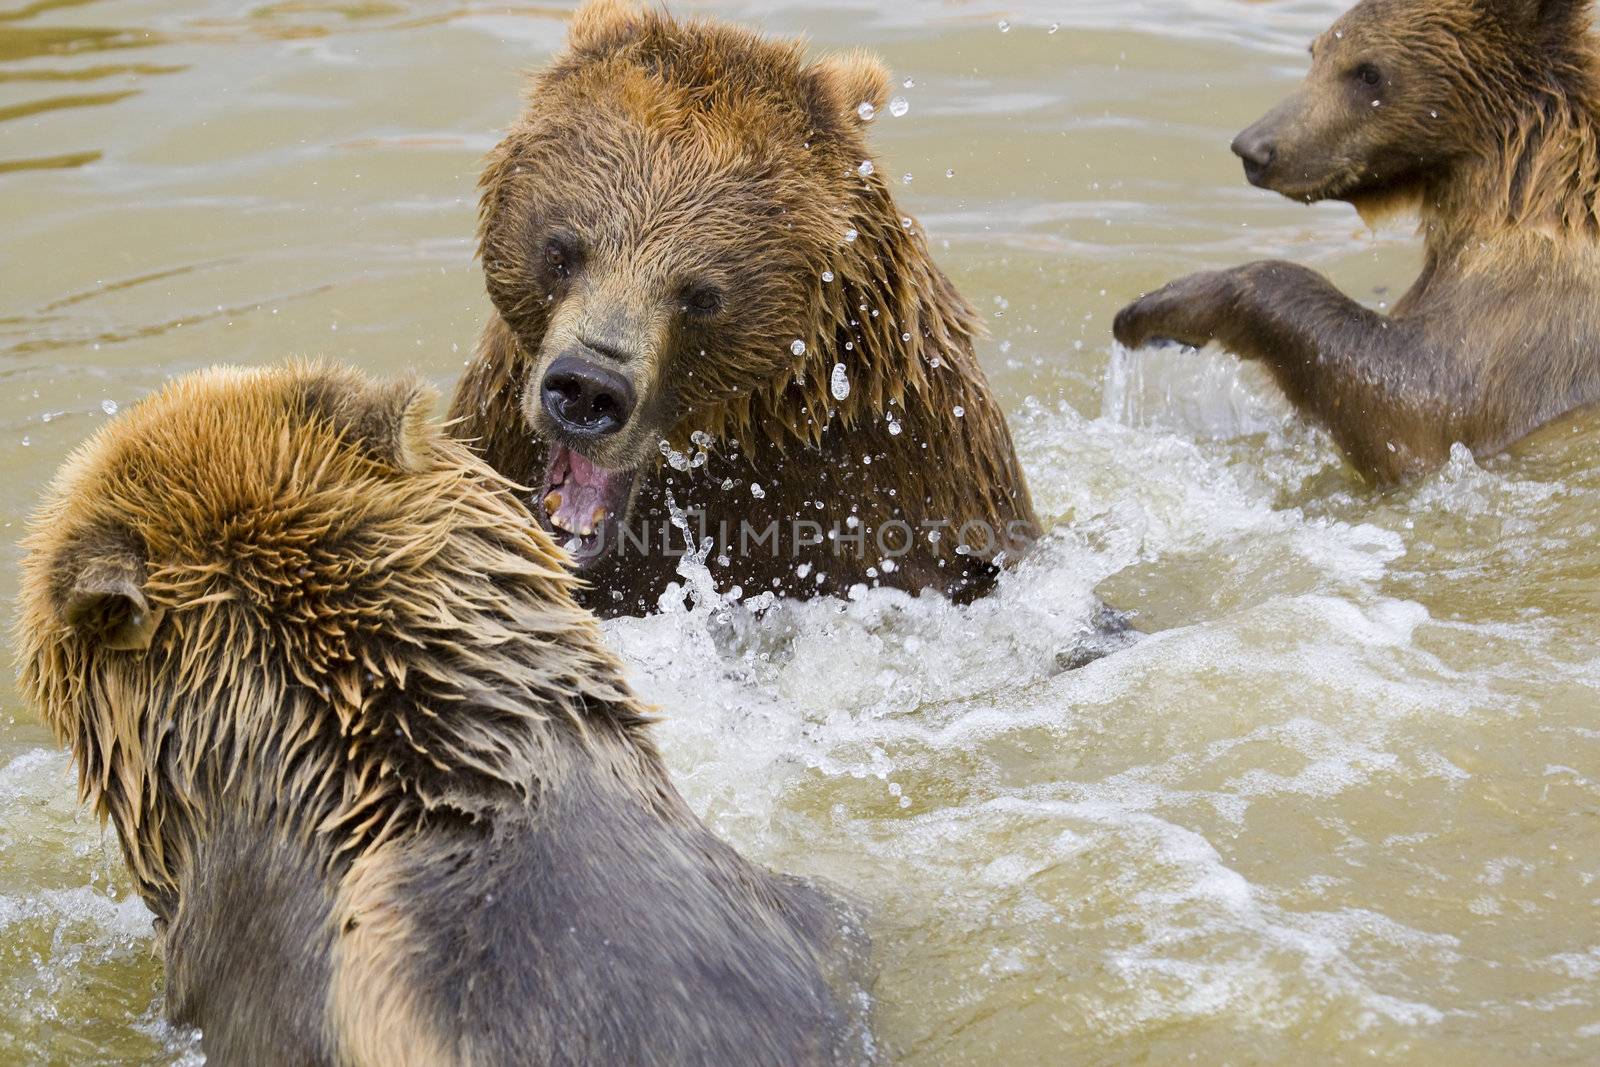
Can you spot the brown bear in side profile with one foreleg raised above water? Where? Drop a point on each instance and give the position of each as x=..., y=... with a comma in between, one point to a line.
x=1484, y=116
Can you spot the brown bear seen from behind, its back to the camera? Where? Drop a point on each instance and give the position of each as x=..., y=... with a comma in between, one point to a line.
x=385, y=789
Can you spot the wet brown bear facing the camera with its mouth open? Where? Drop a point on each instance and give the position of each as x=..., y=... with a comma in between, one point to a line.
x=690, y=254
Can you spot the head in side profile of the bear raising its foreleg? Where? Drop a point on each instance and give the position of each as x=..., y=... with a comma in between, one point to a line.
x=1404, y=92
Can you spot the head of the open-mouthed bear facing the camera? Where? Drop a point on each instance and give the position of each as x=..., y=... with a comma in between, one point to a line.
x=671, y=234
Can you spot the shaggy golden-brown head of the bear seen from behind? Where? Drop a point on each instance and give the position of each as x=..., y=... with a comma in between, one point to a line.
x=289, y=596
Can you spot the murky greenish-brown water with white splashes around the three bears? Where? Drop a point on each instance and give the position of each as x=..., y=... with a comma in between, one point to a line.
x=1342, y=807
